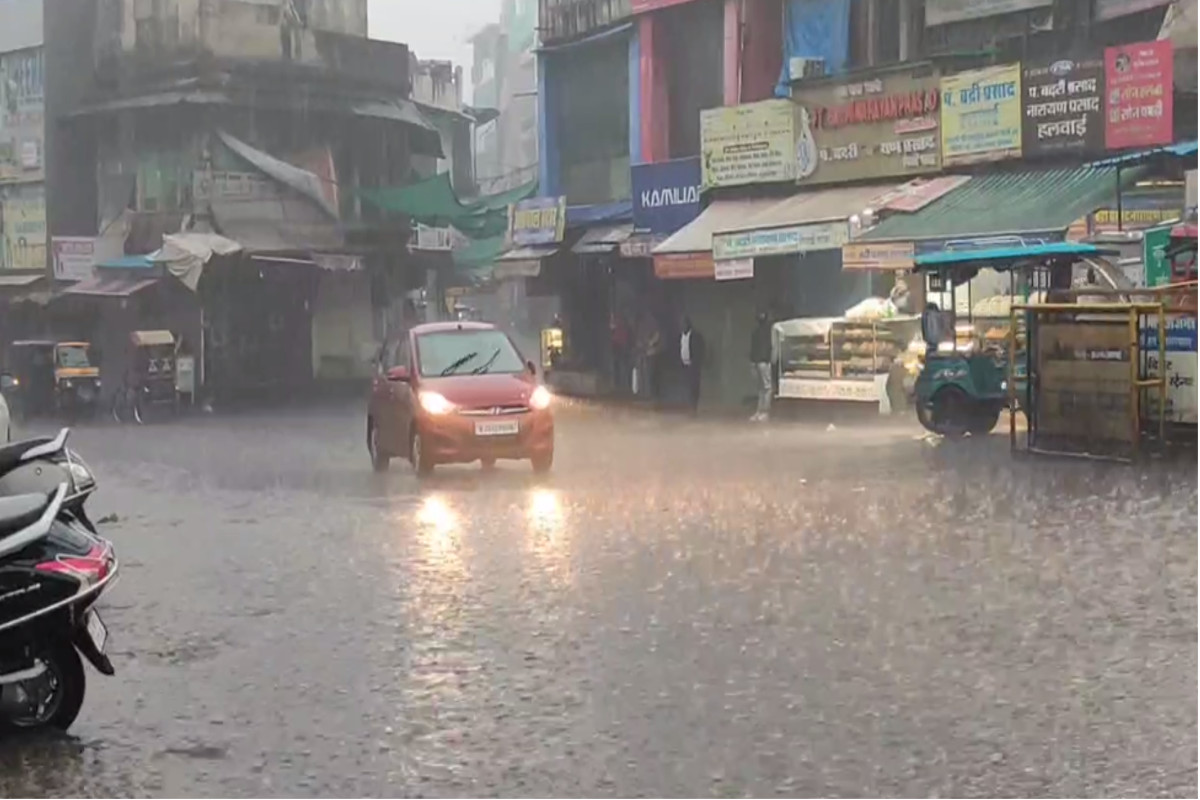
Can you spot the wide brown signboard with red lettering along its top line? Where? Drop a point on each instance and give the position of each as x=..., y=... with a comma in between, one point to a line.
x=871, y=129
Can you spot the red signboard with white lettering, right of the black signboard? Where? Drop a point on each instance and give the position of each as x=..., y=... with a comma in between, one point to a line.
x=1138, y=109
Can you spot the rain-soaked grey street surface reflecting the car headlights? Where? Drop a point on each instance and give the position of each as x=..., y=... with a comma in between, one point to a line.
x=681, y=609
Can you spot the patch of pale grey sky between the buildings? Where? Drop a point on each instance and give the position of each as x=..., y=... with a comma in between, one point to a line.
x=434, y=29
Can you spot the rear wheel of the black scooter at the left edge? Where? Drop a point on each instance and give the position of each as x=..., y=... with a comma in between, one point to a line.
x=52, y=699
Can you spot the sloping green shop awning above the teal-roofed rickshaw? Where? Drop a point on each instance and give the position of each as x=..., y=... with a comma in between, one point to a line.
x=1009, y=204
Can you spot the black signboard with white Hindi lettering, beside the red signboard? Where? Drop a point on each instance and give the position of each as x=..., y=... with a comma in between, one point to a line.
x=1064, y=107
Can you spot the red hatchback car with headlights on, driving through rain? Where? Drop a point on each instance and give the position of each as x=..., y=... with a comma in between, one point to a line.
x=457, y=393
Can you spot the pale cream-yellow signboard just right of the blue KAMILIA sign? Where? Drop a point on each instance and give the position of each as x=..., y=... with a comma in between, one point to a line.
x=754, y=143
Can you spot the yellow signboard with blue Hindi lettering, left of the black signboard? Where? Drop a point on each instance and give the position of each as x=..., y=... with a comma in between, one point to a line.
x=982, y=116
